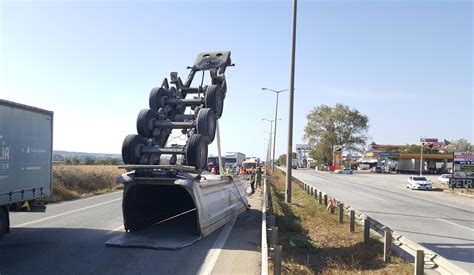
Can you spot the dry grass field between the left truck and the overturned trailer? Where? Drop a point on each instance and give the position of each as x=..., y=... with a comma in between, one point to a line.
x=75, y=181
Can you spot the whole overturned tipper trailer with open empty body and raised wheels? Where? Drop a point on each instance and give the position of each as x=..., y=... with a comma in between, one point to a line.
x=169, y=206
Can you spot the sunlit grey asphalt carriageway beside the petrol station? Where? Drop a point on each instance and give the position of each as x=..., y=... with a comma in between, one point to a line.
x=438, y=220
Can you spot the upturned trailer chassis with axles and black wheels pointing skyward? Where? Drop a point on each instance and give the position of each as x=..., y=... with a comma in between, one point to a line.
x=167, y=105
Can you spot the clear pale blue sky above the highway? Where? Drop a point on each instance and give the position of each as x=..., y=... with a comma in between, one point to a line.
x=407, y=65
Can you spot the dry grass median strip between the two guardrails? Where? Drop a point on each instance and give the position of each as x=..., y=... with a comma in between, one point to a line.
x=314, y=241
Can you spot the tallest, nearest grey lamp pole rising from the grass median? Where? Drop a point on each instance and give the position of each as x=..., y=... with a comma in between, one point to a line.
x=290, y=111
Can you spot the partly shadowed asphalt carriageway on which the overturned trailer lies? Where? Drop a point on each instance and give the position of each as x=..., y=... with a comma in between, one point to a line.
x=69, y=238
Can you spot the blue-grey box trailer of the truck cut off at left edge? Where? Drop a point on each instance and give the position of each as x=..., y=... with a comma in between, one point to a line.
x=26, y=146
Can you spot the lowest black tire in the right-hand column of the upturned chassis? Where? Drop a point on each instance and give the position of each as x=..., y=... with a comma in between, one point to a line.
x=196, y=151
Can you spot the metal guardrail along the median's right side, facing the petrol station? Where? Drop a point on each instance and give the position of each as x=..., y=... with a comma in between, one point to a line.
x=404, y=246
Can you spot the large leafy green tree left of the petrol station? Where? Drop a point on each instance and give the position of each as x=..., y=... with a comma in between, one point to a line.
x=339, y=125
